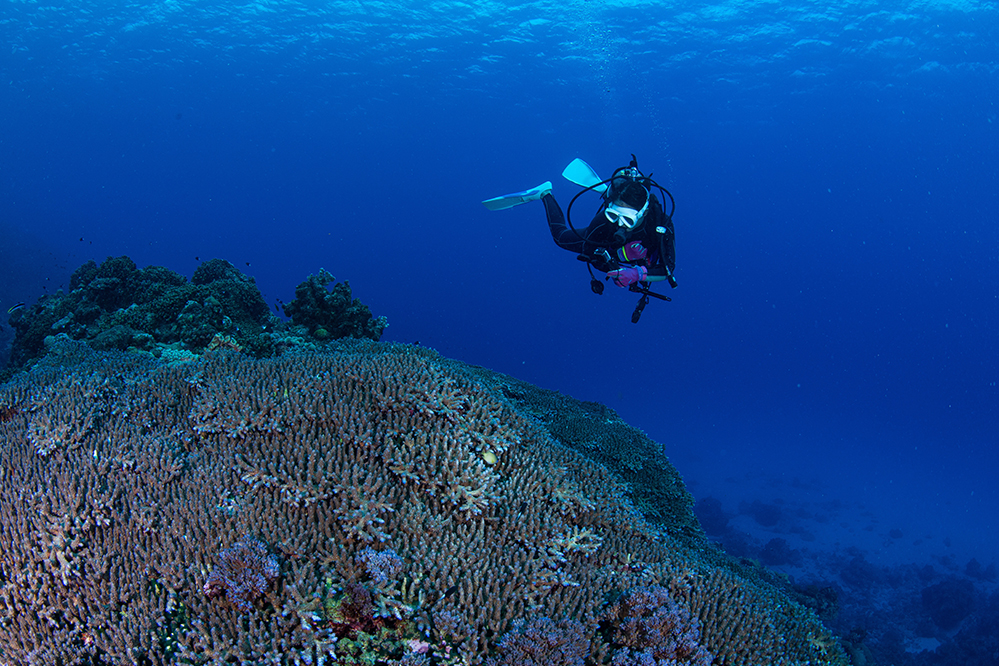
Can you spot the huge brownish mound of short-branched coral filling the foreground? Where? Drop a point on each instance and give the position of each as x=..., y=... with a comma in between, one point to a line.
x=403, y=509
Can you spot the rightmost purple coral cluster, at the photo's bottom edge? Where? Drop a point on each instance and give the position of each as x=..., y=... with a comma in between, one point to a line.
x=653, y=630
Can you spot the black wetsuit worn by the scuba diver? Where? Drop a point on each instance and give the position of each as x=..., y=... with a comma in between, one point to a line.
x=655, y=233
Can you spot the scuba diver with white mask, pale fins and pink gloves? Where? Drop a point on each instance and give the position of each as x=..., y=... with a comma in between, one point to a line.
x=630, y=237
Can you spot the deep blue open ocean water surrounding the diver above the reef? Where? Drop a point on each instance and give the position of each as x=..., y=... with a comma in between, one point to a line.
x=833, y=339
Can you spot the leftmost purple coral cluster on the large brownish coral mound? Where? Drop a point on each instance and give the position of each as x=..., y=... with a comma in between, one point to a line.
x=244, y=572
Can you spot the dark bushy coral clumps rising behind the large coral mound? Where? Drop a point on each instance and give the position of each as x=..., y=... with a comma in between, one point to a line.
x=116, y=306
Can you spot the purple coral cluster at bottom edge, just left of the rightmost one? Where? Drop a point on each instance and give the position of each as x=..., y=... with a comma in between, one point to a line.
x=543, y=642
